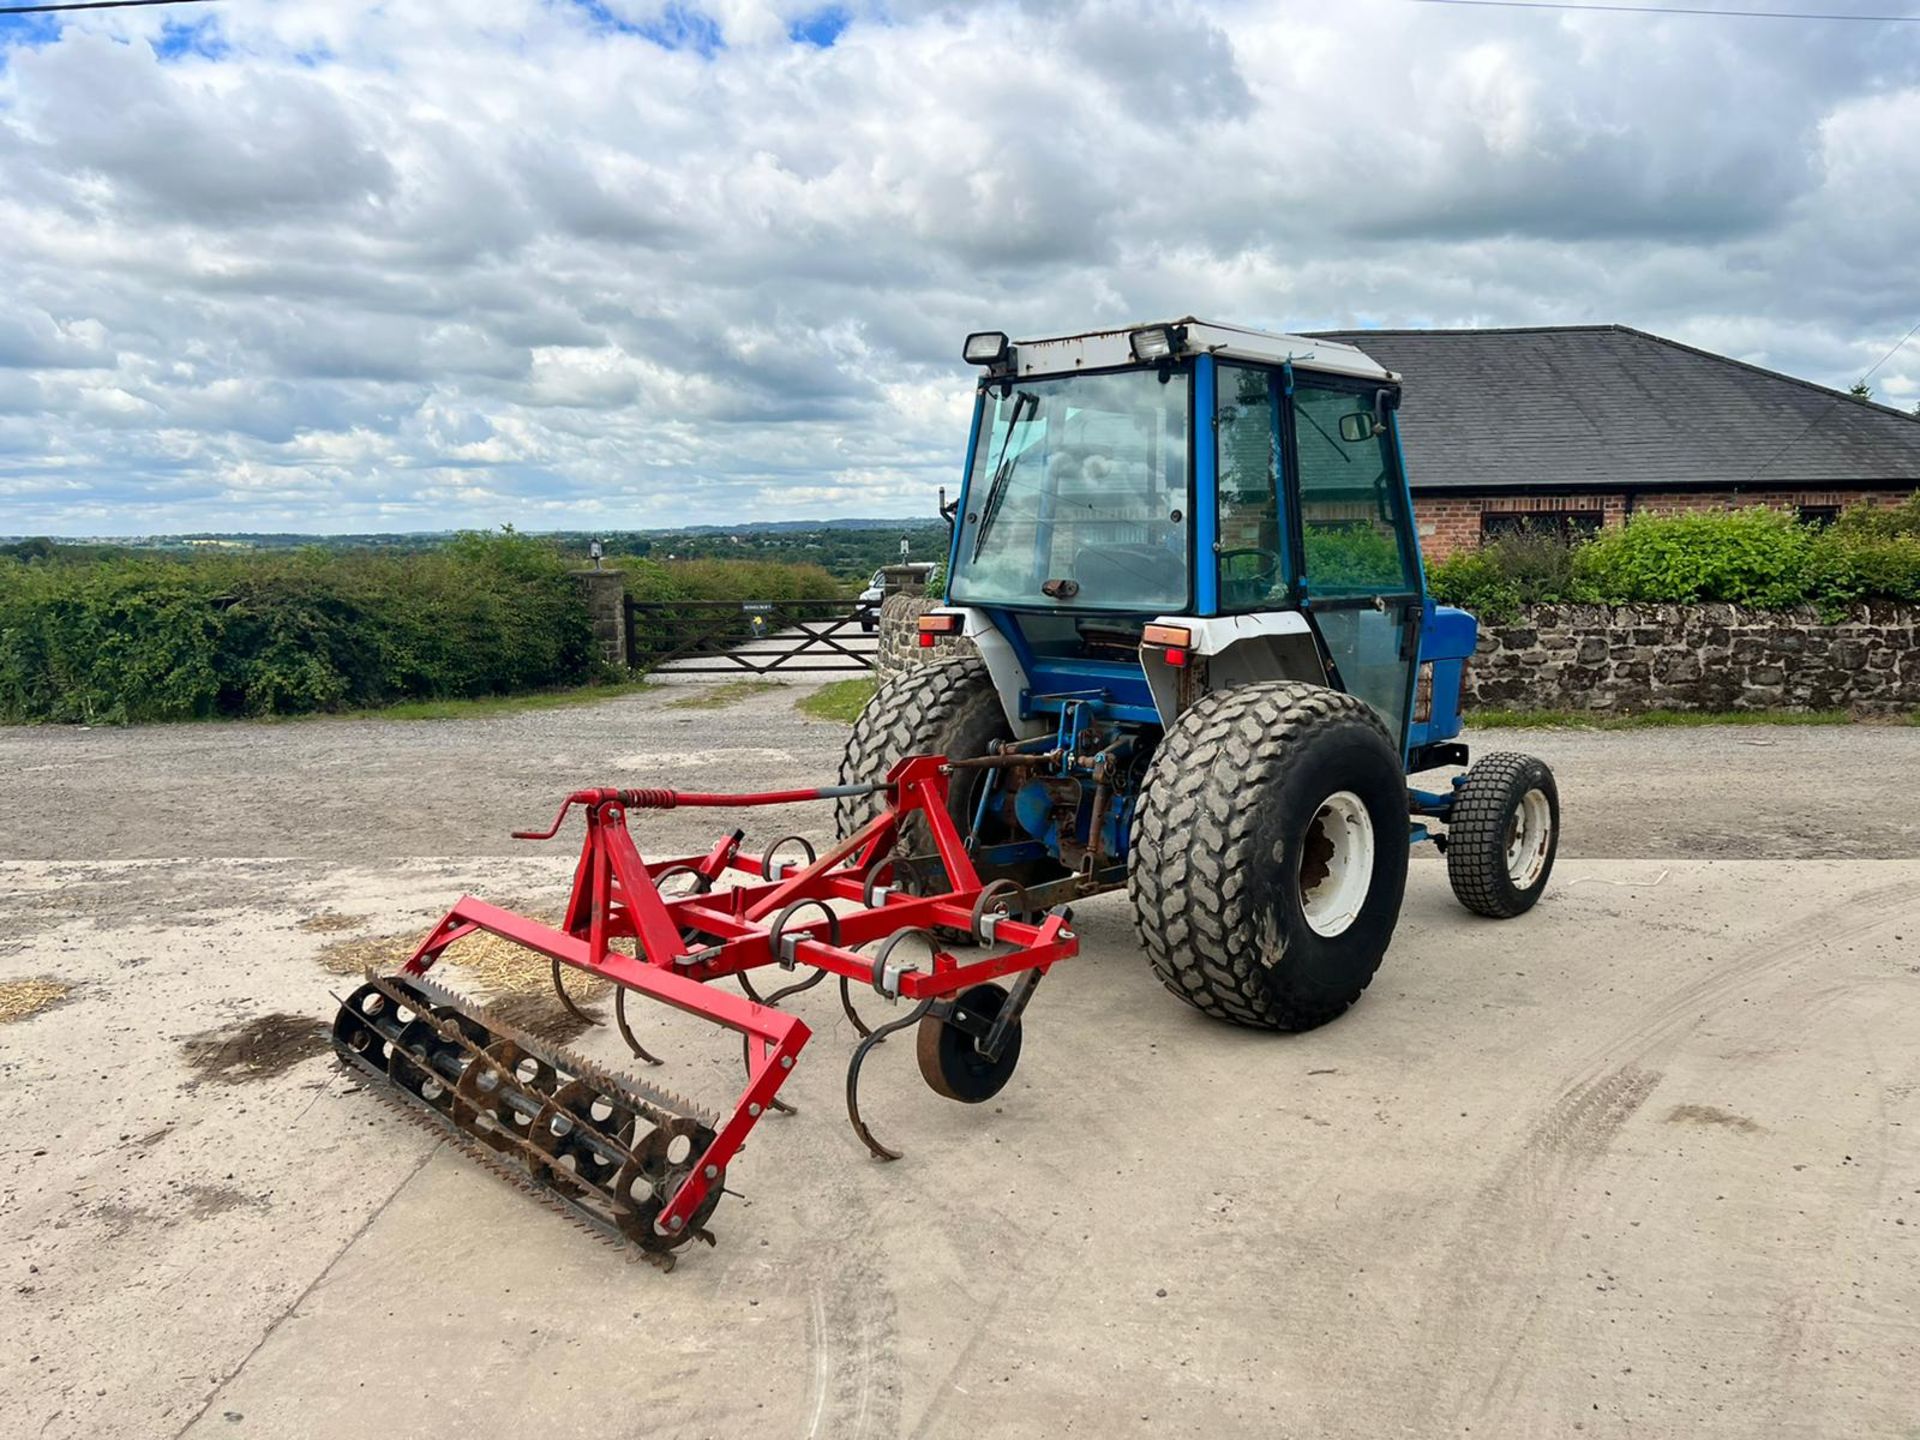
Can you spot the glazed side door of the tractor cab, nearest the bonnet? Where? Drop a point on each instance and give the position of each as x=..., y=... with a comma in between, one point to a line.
x=1356, y=567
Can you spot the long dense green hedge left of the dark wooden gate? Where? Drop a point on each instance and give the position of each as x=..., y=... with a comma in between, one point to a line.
x=149, y=638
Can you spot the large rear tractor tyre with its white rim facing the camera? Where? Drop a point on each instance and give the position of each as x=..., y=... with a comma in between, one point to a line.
x=1270, y=853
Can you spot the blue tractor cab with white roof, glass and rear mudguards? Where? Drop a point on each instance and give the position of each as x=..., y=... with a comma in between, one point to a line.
x=1143, y=506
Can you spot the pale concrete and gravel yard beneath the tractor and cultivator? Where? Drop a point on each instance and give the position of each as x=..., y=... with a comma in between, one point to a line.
x=1639, y=1164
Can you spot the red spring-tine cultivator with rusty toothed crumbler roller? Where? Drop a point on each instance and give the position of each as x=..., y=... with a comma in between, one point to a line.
x=642, y=1166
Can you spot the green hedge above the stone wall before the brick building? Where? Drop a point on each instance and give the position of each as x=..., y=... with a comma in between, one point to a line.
x=1756, y=558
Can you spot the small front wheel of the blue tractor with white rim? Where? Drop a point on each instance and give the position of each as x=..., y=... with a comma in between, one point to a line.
x=1502, y=836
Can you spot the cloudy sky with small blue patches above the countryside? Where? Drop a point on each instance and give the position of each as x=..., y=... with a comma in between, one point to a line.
x=610, y=264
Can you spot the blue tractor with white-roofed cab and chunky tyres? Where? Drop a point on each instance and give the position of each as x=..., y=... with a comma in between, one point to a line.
x=1201, y=661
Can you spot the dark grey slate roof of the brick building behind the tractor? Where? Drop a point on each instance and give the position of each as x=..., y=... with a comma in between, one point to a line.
x=1606, y=406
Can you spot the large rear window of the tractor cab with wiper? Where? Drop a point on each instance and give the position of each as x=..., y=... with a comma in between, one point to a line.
x=1078, y=494
